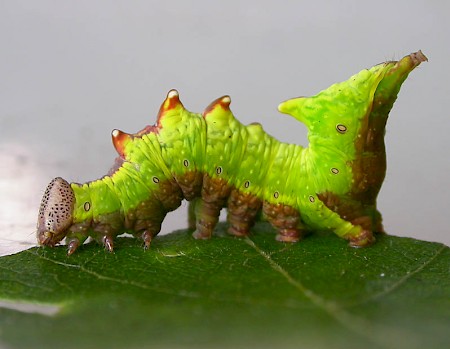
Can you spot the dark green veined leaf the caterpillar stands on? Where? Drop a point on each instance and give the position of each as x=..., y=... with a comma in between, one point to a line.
x=230, y=293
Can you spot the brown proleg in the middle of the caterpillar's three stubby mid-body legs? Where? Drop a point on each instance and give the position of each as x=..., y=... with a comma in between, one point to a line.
x=242, y=211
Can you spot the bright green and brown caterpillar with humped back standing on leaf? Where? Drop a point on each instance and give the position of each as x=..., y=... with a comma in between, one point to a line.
x=213, y=161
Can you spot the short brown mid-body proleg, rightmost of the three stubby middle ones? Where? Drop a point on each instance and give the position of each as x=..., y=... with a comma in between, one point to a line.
x=285, y=219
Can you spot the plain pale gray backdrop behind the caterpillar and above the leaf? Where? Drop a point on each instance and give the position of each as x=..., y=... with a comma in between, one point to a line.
x=71, y=71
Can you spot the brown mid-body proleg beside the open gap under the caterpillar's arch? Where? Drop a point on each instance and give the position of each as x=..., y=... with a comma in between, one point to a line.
x=215, y=192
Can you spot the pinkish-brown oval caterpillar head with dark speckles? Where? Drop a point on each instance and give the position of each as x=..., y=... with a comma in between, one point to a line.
x=55, y=213
